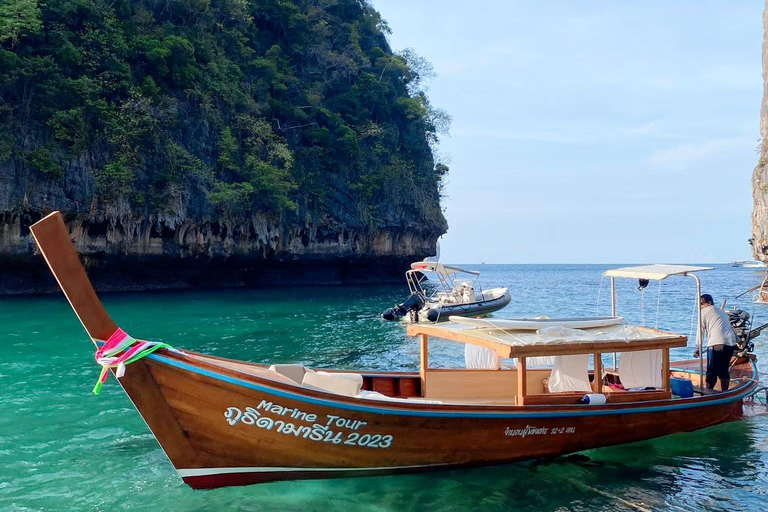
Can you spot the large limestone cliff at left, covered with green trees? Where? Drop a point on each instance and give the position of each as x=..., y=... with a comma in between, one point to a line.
x=215, y=142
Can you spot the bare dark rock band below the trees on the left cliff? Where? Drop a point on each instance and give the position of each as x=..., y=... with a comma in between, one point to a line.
x=190, y=245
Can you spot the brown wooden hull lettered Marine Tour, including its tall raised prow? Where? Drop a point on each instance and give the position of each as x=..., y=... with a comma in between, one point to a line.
x=224, y=422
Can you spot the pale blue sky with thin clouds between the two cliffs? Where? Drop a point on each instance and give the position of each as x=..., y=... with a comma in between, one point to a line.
x=592, y=131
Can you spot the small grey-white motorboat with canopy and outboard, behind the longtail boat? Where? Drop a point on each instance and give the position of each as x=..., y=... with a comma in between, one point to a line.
x=457, y=293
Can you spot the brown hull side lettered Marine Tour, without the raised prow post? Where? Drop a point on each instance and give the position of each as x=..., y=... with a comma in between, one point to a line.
x=243, y=430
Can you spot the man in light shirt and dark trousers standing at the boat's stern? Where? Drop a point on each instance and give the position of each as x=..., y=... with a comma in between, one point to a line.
x=721, y=341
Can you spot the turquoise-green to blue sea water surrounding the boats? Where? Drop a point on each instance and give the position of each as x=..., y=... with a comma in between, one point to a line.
x=63, y=448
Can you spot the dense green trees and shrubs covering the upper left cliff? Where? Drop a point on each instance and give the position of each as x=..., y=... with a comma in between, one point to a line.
x=269, y=105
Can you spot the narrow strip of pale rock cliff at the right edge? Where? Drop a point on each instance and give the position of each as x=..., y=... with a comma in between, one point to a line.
x=759, y=240
